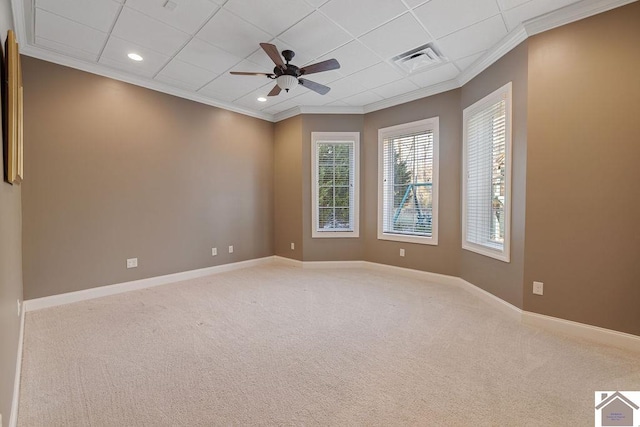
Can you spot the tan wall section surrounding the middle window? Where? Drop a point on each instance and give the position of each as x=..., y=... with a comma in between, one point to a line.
x=443, y=258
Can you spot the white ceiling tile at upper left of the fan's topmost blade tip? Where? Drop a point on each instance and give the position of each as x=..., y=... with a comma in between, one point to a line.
x=232, y=34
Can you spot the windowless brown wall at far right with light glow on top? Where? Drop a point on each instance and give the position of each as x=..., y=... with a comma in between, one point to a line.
x=583, y=199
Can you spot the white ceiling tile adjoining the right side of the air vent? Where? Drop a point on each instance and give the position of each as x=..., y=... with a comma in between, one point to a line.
x=473, y=39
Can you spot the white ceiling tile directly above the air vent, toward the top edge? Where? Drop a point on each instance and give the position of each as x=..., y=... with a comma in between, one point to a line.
x=396, y=37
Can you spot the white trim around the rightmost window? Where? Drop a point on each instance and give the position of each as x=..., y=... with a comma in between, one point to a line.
x=505, y=92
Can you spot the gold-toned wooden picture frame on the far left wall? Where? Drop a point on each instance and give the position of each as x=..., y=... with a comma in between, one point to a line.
x=13, y=118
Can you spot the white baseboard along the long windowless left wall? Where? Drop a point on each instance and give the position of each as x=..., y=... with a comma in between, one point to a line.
x=101, y=291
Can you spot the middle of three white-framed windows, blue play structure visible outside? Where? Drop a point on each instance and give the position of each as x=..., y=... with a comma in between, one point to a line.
x=408, y=182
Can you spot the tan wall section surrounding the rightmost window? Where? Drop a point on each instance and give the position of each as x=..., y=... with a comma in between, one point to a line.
x=504, y=279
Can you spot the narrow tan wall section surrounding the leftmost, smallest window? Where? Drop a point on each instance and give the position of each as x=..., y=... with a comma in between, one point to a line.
x=327, y=249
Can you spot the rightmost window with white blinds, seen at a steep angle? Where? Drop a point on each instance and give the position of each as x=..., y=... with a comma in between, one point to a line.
x=486, y=187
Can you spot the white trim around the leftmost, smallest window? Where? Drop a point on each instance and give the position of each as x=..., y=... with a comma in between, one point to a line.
x=353, y=137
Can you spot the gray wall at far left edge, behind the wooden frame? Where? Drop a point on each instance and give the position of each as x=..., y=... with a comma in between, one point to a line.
x=10, y=263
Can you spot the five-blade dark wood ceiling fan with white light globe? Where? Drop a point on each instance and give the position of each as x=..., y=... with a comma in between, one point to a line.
x=288, y=76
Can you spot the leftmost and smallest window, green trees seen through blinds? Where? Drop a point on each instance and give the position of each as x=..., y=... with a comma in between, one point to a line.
x=335, y=184
